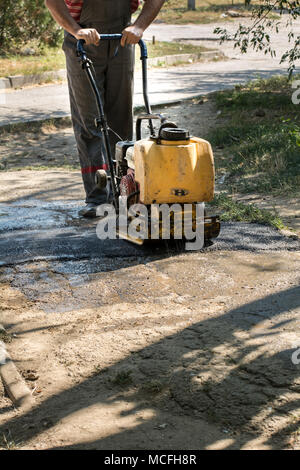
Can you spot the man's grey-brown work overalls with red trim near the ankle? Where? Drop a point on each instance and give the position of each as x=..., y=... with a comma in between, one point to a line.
x=114, y=70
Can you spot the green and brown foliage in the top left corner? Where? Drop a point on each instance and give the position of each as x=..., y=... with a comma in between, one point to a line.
x=25, y=20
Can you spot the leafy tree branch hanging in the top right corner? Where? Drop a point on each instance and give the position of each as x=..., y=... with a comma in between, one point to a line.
x=268, y=17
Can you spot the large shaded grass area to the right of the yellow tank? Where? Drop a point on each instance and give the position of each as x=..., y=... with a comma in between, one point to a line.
x=258, y=139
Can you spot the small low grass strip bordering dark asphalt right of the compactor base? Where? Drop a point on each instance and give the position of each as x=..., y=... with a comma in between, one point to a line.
x=237, y=211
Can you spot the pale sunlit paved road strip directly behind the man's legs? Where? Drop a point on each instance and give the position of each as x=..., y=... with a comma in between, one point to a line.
x=165, y=85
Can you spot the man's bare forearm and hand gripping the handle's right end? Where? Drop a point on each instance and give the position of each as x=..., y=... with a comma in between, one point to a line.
x=132, y=34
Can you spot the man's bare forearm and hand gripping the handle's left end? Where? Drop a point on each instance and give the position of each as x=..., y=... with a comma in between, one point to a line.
x=60, y=13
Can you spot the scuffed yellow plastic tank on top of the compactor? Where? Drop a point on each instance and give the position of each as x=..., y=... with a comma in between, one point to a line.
x=179, y=171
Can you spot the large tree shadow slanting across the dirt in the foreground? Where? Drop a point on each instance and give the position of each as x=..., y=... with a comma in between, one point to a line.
x=232, y=371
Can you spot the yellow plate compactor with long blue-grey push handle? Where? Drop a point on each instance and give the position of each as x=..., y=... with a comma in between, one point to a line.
x=169, y=167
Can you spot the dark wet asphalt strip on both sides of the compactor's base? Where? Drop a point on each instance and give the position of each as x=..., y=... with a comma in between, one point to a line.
x=32, y=230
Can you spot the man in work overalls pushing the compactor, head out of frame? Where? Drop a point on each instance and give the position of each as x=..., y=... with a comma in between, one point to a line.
x=114, y=69
